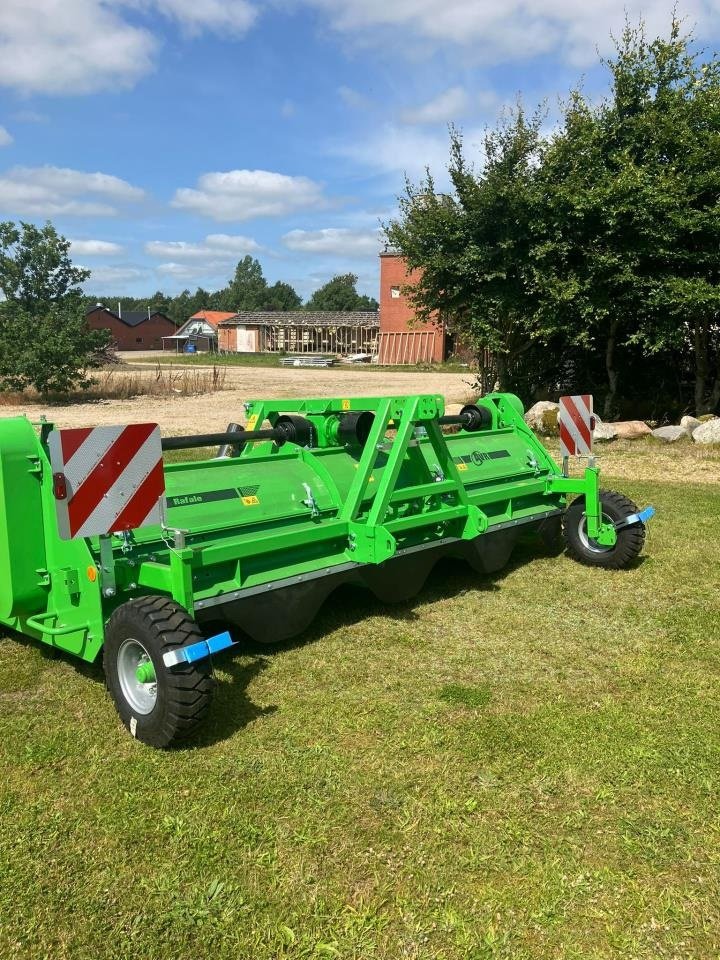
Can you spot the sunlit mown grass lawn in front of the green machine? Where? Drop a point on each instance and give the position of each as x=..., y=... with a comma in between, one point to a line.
x=524, y=766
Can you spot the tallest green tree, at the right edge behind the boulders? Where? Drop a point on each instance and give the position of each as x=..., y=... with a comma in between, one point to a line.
x=629, y=226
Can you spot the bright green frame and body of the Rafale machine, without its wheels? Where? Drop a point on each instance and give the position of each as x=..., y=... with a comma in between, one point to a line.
x=333, y=489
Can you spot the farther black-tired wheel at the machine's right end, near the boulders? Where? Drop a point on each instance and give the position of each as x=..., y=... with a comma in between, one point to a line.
x=630, y=539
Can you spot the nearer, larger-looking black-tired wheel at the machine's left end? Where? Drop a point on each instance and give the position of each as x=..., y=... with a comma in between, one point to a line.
x=171, y=709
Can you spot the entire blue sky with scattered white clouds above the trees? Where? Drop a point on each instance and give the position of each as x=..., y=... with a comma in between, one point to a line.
x=168, y=138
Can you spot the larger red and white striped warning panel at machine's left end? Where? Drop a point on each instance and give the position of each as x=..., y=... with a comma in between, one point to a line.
x=107, y=479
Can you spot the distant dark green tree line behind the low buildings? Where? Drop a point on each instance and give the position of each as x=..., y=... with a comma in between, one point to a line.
x=248, y=290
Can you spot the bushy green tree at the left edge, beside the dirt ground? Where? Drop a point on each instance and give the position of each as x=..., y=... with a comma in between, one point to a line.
x=44, y=337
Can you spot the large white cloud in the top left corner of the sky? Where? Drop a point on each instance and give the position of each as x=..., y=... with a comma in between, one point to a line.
x=80, y=46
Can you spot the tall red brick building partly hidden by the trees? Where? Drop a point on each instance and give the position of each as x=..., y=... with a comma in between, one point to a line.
x=396, y=315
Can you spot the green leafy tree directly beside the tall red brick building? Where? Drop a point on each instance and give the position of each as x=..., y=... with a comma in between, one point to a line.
x=472, y=248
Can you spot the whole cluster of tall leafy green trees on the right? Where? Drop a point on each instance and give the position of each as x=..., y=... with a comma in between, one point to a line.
x=588, y=257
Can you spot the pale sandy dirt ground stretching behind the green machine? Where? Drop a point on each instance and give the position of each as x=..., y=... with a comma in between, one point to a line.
x=212, y=411
